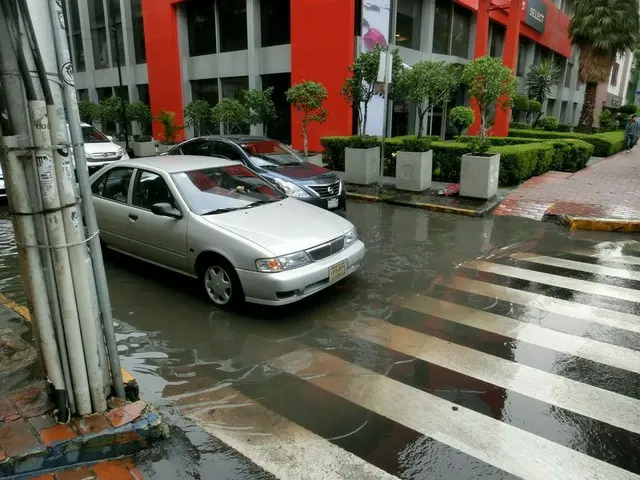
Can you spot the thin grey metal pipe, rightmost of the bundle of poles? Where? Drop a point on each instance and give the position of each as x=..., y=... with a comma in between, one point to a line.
x=95, y=250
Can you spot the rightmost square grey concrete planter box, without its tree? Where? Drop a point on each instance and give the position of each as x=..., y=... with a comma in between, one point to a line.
x=479, y=176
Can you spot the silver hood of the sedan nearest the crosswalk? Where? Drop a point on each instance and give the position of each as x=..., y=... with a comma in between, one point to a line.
x=283, y=227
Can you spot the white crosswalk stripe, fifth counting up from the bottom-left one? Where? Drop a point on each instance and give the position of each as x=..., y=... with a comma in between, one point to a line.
x=585, y=312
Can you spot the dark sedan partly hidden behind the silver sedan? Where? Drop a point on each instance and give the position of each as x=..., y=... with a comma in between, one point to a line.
x=277, y=163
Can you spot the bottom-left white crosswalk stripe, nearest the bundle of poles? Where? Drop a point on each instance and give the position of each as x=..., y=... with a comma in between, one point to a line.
x=280, y=446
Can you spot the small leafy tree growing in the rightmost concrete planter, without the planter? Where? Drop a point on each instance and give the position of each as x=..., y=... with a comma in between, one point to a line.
x=491, y=84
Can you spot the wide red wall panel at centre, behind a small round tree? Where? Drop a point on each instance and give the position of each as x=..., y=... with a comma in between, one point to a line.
x=322, y=48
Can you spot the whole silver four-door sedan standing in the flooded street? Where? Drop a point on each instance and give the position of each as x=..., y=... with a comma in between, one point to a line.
x=218, y=221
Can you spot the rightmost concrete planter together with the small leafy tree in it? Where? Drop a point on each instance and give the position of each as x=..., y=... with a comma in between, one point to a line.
x=491, y=85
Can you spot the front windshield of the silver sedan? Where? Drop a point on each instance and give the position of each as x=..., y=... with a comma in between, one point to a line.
x=223, y=189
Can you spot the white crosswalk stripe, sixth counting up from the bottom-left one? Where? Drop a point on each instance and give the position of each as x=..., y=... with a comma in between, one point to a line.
x=556, y=280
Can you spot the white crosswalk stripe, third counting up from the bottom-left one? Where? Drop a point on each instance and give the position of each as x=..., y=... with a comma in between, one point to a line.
x=597, y=403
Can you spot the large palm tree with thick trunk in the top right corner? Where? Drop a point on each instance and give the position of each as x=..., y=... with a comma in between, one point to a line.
x=601, y=29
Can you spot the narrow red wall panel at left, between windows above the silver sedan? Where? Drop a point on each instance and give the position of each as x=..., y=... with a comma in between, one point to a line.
x=163, y=60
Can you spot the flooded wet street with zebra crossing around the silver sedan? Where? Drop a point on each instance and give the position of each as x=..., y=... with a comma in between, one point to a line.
x=464, y=348
